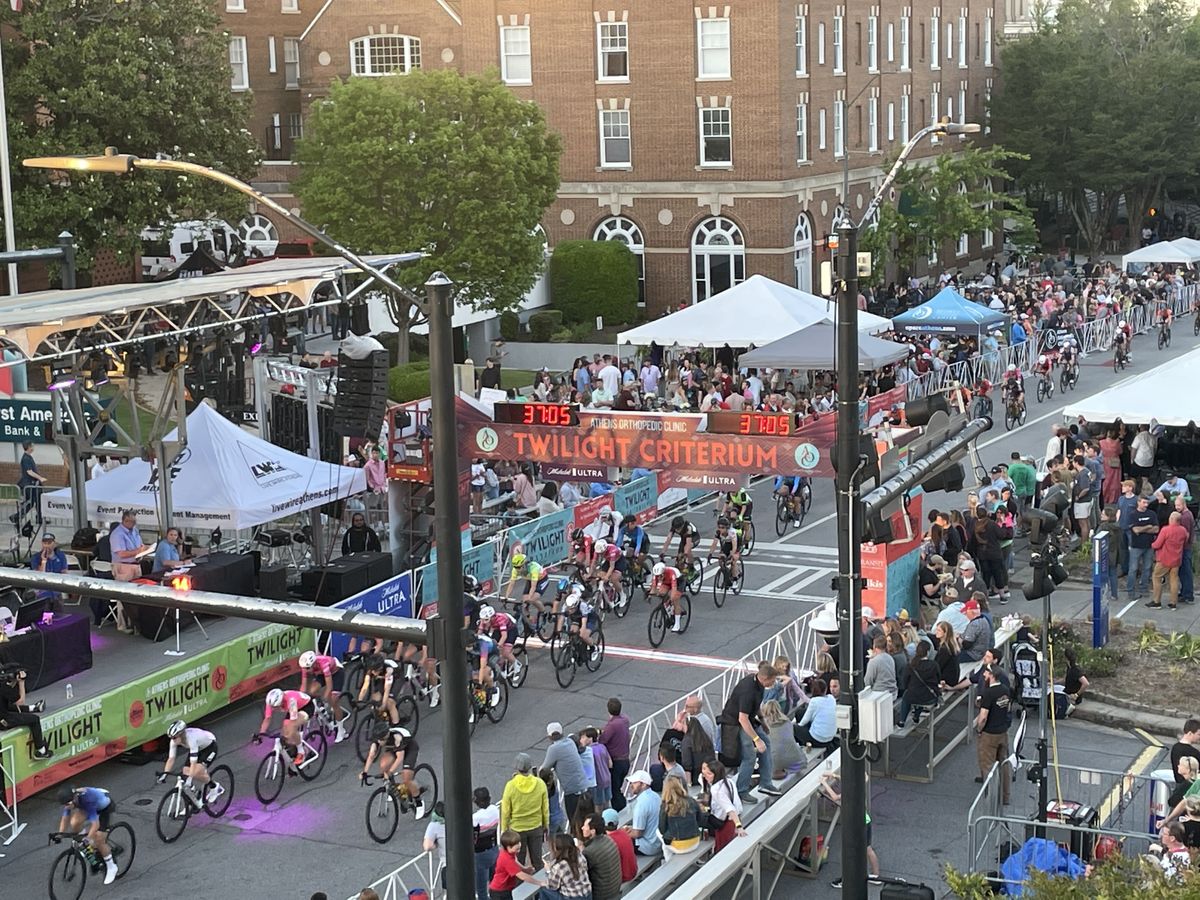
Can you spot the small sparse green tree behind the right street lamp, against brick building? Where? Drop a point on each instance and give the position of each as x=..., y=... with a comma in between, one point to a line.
x=957, y=194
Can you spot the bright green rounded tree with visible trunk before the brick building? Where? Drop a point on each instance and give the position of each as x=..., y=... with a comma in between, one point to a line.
x=455, y=166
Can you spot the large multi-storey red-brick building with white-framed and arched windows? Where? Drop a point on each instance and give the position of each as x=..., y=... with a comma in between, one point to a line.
x=711, y=139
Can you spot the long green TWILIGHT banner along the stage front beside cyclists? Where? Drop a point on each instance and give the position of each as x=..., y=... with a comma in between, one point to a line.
x=95, y=730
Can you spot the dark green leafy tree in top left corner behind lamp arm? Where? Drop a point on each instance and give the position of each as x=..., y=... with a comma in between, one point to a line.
x=146, y=76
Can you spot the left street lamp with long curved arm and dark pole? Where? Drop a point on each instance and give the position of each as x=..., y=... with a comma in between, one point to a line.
x=446, y=629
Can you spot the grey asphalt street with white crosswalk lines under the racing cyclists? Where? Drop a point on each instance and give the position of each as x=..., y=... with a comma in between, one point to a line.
x=315, y=839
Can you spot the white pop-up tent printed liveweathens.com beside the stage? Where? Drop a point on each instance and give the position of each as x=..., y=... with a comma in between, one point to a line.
x=225, y=477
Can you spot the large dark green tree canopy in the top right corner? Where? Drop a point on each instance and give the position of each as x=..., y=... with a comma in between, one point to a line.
x=1106, y=104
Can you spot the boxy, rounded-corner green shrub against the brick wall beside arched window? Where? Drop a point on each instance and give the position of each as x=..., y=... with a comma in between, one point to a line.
x=590, y=279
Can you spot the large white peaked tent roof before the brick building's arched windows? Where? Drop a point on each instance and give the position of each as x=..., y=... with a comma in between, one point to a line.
x=755, y=313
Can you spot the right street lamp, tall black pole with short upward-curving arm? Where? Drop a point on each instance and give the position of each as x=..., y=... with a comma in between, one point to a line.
x=850, y=535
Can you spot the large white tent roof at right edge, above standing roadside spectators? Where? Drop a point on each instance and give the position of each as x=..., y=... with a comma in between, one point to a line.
x=1145, y=397
